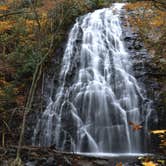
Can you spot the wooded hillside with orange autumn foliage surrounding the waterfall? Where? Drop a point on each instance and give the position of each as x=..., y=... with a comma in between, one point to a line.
x=33, y=37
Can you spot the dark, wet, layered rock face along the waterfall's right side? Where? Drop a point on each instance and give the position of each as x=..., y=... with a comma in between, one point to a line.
x=149, y=75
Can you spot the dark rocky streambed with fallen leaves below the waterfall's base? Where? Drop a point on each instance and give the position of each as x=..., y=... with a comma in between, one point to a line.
x=44, y=156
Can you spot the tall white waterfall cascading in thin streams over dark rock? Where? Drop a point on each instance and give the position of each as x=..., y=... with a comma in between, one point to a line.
x=98, y=96
